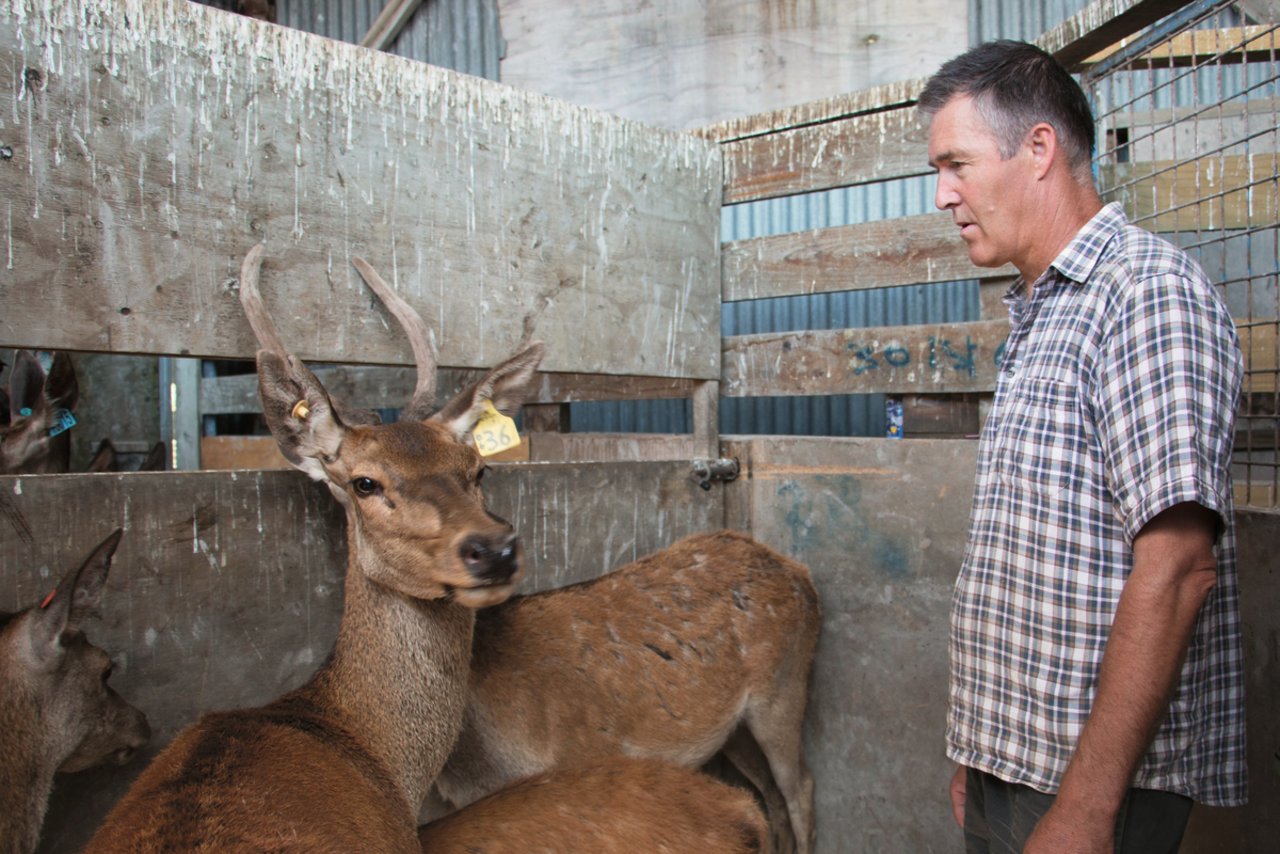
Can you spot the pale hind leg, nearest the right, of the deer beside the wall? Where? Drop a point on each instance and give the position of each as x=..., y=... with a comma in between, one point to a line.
x=776, y=725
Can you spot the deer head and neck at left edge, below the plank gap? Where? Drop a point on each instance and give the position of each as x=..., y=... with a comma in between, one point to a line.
x=58, y=714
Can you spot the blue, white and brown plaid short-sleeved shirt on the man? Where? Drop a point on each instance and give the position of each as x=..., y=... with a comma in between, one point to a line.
x=1117, y=400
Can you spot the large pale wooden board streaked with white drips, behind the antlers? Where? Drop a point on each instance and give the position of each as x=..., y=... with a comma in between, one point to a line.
x=154, y=143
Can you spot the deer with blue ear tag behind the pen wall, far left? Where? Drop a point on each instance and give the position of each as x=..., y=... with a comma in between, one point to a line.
x=35, y=415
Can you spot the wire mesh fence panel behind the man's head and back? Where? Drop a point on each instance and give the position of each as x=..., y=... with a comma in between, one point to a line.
x=1188, y=143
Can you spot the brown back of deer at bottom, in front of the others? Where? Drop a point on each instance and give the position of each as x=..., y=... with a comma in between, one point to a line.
x=614, y=806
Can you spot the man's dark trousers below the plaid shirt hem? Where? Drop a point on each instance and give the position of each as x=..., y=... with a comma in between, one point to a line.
x=1000, y=816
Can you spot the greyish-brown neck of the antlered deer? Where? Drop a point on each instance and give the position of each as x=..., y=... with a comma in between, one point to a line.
x=399, y=678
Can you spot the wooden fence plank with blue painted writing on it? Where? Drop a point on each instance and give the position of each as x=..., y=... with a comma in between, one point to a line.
x=922, y=359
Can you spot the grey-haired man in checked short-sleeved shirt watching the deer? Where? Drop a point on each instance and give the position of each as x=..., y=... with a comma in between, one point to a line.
x=1096, y=663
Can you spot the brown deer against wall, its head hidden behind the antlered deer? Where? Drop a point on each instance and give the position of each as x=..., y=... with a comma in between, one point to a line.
x=705, y=646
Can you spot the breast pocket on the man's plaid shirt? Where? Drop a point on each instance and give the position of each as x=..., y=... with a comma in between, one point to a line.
x=1041, y=445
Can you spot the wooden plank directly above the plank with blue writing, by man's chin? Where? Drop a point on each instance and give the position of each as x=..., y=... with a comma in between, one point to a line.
x=911, y=250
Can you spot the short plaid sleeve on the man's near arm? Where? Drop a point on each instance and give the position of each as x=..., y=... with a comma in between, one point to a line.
x=1165, y=400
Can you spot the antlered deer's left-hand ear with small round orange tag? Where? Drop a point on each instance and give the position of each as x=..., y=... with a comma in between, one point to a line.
x=299, y=413
